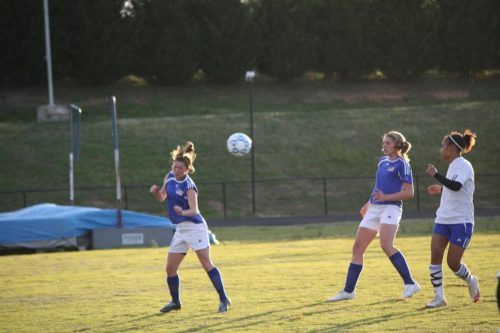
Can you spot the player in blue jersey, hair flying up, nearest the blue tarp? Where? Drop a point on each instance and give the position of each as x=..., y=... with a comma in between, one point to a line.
x=181, y=194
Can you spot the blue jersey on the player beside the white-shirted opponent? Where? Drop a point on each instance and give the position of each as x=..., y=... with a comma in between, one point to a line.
x=391, y=174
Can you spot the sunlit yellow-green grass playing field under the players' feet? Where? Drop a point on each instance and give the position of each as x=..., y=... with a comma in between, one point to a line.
x=277, y=282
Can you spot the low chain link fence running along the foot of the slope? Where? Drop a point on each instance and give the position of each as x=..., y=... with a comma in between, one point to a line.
x=274, y=197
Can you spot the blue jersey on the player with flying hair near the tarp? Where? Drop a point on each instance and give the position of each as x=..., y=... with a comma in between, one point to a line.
x=177, y=196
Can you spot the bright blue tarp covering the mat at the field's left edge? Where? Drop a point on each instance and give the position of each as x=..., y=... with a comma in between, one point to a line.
x=46, y=222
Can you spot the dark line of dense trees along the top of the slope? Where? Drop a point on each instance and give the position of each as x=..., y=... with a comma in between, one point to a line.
x=168, y=42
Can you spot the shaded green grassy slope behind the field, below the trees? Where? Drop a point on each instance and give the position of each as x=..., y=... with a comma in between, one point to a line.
x=301, y=130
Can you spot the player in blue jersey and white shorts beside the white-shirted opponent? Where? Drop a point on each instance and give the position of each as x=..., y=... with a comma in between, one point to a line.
x=382, y=214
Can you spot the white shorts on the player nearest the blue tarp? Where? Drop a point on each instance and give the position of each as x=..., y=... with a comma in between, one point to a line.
x=189, y=235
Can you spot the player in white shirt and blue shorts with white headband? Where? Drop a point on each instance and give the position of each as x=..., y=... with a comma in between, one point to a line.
x=454, y=222
